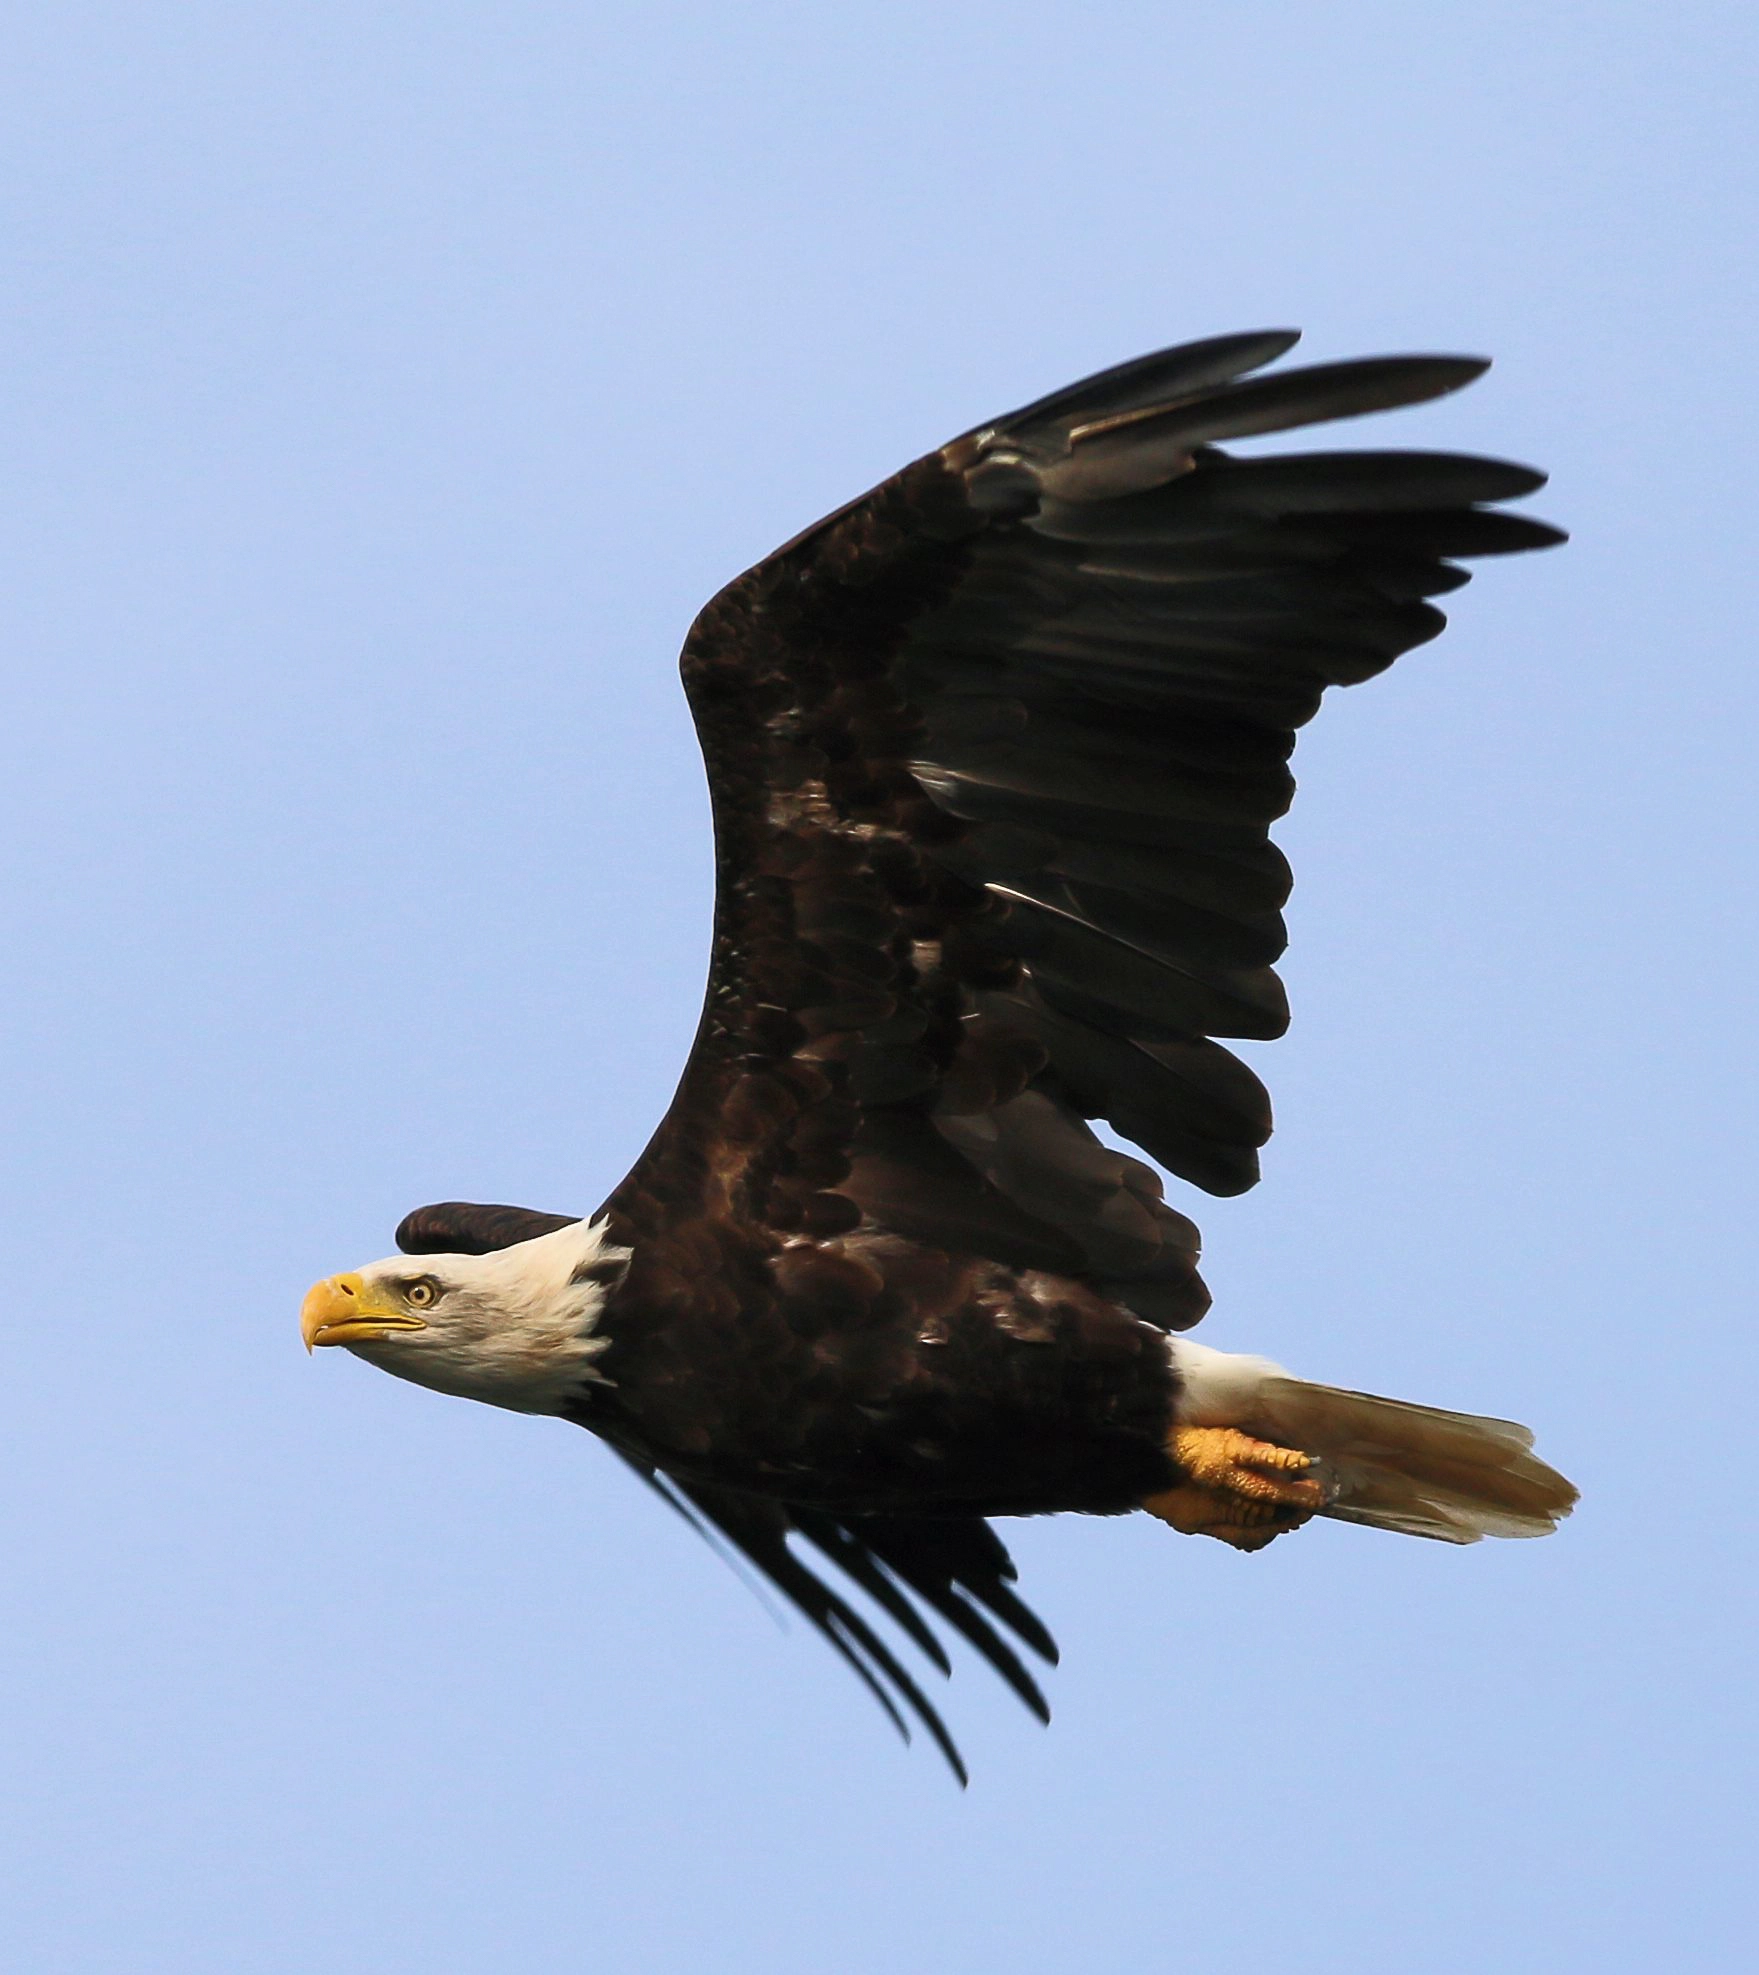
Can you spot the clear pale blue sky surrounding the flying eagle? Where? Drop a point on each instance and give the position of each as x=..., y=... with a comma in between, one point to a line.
x=388, y=386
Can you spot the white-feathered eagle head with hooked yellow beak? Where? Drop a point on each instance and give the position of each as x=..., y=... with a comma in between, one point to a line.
x=516, y=1328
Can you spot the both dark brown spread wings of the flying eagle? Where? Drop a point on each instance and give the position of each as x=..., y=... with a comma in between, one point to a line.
x=994, y=755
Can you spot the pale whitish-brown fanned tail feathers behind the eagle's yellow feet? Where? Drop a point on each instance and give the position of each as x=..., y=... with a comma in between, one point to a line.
x=1418, y=1470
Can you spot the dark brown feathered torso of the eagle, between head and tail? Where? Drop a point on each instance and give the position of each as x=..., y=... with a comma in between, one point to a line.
x=897, y=1380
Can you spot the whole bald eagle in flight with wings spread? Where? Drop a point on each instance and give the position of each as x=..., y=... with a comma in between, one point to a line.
x=994, y=757
